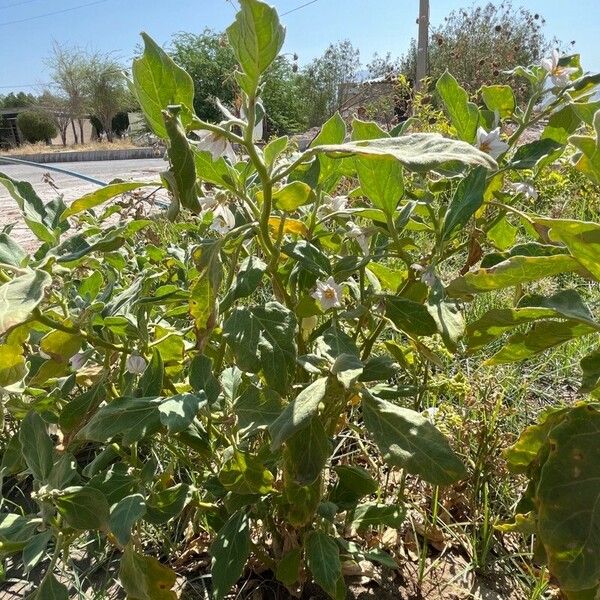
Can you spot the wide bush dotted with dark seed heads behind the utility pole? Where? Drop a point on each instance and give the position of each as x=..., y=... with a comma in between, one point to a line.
x=478, y=43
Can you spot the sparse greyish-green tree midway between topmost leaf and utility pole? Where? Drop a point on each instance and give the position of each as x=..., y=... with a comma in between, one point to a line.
x=323, y=79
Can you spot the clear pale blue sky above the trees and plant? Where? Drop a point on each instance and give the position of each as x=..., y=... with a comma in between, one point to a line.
x=372, y=25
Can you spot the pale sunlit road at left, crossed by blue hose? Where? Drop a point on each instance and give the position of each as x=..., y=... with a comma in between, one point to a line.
x=71, y=187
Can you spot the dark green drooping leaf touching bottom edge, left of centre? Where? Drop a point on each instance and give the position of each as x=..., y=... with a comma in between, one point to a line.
x=229, y=552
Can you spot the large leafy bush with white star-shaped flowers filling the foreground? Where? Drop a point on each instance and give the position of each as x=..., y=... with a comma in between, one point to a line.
x=251, y=369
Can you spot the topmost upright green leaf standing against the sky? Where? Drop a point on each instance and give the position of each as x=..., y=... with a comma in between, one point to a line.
x=256, y=37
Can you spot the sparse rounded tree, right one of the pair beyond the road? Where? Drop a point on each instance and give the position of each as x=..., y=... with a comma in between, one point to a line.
x=106, y=90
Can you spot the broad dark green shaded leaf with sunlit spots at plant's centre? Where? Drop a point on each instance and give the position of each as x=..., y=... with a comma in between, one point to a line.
x=263, y=340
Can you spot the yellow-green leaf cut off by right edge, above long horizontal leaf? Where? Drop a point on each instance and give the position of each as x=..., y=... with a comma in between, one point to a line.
x=582, y=238
